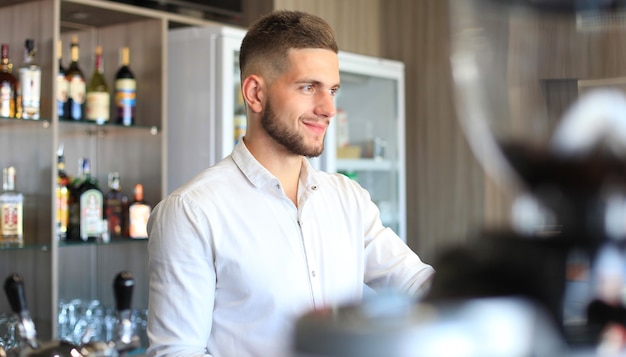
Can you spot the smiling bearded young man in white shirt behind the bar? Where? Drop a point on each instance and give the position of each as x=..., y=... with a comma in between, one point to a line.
x=246, y=247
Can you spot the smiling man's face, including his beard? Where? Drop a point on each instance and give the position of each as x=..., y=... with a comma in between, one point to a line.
x=301, y=101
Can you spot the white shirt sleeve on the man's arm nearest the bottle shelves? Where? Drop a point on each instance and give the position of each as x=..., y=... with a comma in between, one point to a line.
x=182, y=280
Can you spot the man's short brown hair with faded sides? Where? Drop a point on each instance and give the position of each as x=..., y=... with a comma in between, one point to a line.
x=271, y=37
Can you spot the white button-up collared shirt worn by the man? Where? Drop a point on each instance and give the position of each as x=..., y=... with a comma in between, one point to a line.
x=234, y=263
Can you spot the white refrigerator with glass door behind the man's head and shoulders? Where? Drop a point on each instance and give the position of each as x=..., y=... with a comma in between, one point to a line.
x=365, y=141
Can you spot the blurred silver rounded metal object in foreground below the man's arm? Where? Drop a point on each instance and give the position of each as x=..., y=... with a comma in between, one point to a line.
x=392, y=326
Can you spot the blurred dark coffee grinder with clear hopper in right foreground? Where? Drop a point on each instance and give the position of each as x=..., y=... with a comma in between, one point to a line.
x=539, y=87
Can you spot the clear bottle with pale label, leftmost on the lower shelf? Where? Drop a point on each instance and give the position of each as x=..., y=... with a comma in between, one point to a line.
x=11, y=209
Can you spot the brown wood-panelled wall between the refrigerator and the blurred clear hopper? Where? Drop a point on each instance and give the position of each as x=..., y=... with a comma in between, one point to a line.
x=446, y=188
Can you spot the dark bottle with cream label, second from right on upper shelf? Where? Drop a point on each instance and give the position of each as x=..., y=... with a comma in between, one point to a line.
x=98, y=97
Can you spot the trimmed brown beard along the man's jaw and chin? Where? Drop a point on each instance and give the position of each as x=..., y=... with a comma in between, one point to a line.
x=289, y=139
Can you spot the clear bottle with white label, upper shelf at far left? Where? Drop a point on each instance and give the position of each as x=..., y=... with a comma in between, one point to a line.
x=30, y=83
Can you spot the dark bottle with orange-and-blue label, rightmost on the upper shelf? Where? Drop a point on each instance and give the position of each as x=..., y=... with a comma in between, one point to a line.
x=125, y=91
